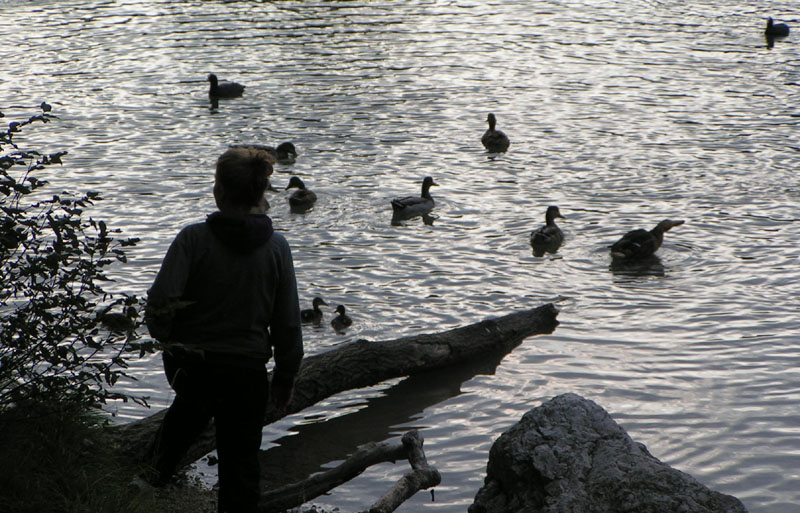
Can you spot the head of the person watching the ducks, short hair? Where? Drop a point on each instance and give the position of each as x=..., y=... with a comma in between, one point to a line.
x=241, y=178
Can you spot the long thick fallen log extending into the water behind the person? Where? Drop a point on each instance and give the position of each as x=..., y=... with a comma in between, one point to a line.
x=329, y=373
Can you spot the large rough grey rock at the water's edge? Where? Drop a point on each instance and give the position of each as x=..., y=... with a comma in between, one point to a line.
x=569, y=456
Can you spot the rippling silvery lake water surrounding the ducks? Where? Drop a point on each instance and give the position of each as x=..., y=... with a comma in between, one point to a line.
x=621, y=113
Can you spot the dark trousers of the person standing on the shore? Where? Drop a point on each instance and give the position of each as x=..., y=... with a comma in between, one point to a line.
x=232, y=391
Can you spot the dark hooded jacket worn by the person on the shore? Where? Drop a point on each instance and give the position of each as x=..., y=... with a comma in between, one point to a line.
x=228, y=286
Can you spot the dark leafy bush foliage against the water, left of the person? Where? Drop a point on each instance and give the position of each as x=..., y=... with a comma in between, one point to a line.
x=56, y=340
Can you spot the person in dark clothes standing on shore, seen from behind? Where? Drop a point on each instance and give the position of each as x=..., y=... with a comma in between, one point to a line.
x=223, y=303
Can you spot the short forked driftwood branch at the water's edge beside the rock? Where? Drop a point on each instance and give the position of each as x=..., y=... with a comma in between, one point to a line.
x=422, y=476
